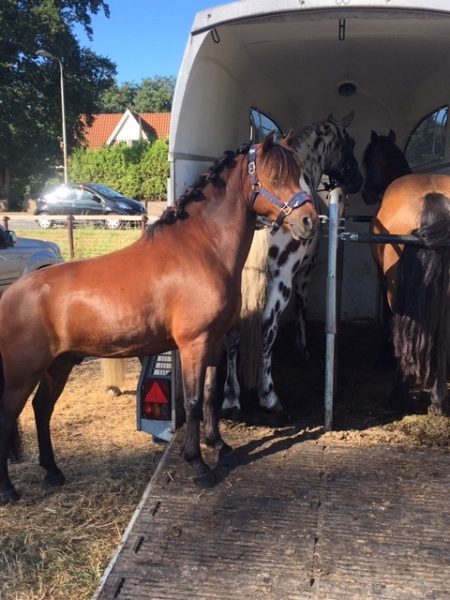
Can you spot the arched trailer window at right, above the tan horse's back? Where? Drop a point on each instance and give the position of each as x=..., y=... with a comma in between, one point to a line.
x=426, y=144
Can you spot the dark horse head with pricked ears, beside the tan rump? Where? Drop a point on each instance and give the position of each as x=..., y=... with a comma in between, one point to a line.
x=383, y=162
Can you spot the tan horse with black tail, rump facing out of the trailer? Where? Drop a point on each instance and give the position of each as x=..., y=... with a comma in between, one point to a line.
x=415, y=278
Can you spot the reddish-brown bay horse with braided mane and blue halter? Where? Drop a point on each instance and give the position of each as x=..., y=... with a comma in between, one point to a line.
x=178, y=286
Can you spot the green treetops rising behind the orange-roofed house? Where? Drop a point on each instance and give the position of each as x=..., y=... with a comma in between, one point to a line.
x=152, y=95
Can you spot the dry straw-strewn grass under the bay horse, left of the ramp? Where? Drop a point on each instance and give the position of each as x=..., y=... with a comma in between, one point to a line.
x=55, y=543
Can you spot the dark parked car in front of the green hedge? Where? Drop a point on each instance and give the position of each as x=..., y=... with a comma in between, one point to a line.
x=85, y=199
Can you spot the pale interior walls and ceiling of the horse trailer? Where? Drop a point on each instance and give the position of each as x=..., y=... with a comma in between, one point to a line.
x=286, y=59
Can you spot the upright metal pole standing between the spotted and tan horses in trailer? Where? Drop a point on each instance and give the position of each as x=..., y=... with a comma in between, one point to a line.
x=331, y=312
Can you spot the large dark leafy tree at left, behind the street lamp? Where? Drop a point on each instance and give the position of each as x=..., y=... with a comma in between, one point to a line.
x=30, y=105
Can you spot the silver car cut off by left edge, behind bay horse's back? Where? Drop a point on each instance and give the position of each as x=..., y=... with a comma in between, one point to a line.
x=20, y=255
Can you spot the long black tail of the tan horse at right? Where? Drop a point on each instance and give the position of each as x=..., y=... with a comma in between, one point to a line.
x=422, y=297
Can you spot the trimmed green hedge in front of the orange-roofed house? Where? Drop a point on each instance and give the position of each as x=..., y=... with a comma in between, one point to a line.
x=139, y=171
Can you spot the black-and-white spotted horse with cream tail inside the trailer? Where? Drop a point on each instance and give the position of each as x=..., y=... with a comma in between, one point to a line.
x=283, y=265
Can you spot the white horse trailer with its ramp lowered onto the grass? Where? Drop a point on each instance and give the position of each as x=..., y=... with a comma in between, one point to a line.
x=301, y=517
